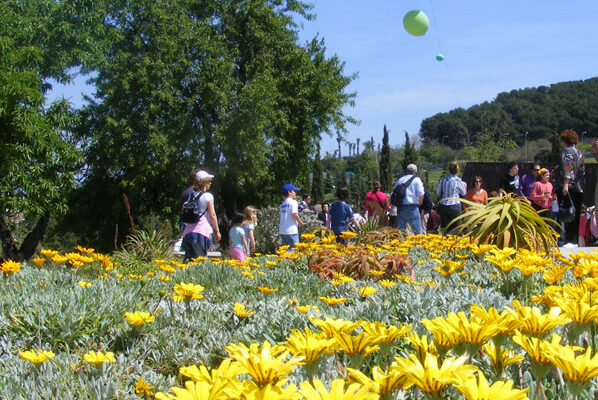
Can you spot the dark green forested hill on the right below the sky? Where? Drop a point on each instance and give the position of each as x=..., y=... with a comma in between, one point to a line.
x=541, y=111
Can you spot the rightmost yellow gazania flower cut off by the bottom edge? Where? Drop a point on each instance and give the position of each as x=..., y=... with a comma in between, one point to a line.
x=473, y=389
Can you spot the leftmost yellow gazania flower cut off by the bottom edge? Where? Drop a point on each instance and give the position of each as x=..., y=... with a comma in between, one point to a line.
x=220, y=390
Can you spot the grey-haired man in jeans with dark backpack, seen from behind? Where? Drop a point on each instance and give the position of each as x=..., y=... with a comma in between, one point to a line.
x=407, y=196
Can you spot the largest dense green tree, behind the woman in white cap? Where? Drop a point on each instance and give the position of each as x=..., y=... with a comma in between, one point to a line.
x=195, y=83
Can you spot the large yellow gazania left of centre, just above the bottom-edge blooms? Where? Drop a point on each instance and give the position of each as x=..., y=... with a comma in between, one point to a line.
x=262, y=363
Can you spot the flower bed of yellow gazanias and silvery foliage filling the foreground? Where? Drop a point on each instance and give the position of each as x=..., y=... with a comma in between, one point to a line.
x=430, y=316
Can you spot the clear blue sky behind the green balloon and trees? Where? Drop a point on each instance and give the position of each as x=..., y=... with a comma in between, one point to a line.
x=490, y=46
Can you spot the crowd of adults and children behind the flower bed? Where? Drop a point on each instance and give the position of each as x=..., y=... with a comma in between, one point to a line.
x=557, y=196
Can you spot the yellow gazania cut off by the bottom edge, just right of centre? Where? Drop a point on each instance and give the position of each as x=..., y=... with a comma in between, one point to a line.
x=317, y=391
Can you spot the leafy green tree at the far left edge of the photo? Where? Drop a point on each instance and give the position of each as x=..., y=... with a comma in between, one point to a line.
x=40, y=40
